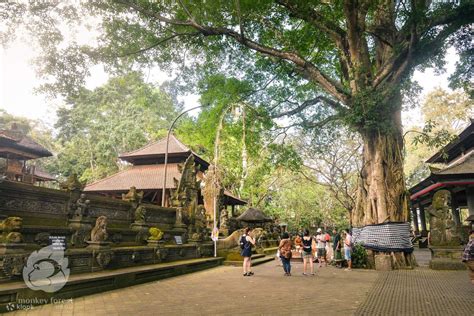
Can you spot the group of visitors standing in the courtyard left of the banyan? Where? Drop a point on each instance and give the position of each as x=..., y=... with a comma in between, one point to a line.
x=307, y=246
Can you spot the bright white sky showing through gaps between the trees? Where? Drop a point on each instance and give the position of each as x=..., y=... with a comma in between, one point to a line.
x=18, y=81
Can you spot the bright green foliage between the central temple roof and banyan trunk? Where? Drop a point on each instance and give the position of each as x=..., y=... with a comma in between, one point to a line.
x=244, y=127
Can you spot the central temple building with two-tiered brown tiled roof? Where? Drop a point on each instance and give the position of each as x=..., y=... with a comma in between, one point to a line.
x=146, y=173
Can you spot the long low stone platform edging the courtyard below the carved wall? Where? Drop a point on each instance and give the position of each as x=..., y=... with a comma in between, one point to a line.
x=14, y=293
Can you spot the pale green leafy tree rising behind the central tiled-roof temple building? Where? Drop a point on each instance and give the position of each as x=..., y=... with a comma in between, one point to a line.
x=98, y=125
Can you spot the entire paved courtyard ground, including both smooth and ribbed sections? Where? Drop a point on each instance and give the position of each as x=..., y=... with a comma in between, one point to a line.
x=224, y=291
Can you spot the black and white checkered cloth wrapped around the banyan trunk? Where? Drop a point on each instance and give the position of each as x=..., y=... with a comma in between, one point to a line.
x=384, y=237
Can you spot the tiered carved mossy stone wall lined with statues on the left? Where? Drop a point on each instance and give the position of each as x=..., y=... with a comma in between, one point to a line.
x=46, y=212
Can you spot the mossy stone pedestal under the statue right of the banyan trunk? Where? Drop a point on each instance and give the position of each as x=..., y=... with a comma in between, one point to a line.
x=446, y=258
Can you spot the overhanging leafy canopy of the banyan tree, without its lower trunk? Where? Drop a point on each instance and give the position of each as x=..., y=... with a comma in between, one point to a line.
x=286, y=52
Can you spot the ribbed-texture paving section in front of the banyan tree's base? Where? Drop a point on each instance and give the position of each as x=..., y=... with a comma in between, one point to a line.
x=420, y=292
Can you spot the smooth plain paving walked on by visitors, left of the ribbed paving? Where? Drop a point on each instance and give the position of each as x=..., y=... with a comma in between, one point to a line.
x=224, y=291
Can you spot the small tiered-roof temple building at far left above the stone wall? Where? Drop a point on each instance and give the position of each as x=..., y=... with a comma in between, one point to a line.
x=17, y=155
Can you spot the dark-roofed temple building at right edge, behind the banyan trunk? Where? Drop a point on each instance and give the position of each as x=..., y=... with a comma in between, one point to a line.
x=456, y=175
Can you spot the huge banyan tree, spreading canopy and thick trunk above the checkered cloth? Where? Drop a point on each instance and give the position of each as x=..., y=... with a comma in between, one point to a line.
x=315, y=61
